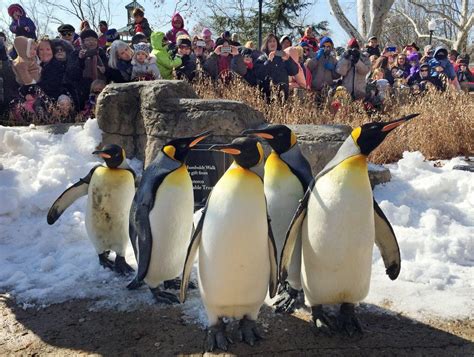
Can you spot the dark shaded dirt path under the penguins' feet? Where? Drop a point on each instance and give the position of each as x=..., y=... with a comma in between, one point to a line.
x=72, y=329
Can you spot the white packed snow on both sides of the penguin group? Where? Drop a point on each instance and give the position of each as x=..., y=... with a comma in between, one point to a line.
x=431, y=210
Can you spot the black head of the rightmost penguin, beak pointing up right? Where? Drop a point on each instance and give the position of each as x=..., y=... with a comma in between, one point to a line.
x=371, y=135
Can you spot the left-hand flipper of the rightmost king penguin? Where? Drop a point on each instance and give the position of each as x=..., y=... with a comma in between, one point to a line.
x=293, y=233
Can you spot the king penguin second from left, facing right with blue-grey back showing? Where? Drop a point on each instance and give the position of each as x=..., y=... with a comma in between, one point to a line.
x=161, y=218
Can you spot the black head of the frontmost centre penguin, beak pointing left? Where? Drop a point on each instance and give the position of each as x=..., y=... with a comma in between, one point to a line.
x=246, y=151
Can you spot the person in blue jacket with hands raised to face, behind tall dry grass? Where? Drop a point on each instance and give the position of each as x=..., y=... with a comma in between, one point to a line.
x=322, y=66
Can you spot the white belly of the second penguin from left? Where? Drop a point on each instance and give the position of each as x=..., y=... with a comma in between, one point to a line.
x=171, y=223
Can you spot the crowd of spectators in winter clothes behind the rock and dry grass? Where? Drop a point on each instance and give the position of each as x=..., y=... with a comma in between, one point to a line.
x=61, y=77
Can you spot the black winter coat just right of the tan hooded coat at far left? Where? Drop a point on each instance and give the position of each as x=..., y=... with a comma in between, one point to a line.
x=52, y=78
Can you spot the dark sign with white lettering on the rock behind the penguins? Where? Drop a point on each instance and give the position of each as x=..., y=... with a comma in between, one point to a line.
x=206, y=168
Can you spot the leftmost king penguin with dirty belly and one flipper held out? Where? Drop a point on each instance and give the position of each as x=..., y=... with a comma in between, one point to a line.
x=109, y=189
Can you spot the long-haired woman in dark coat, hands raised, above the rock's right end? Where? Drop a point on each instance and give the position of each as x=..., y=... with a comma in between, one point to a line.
x=275, y=65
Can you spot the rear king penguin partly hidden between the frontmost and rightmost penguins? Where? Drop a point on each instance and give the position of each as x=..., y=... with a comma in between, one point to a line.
x=287, y=176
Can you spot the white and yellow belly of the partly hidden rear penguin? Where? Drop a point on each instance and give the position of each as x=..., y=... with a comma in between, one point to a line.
x=283, y=191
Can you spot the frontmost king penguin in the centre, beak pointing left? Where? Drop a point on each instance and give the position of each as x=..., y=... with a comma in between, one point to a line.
x=237, y=254
